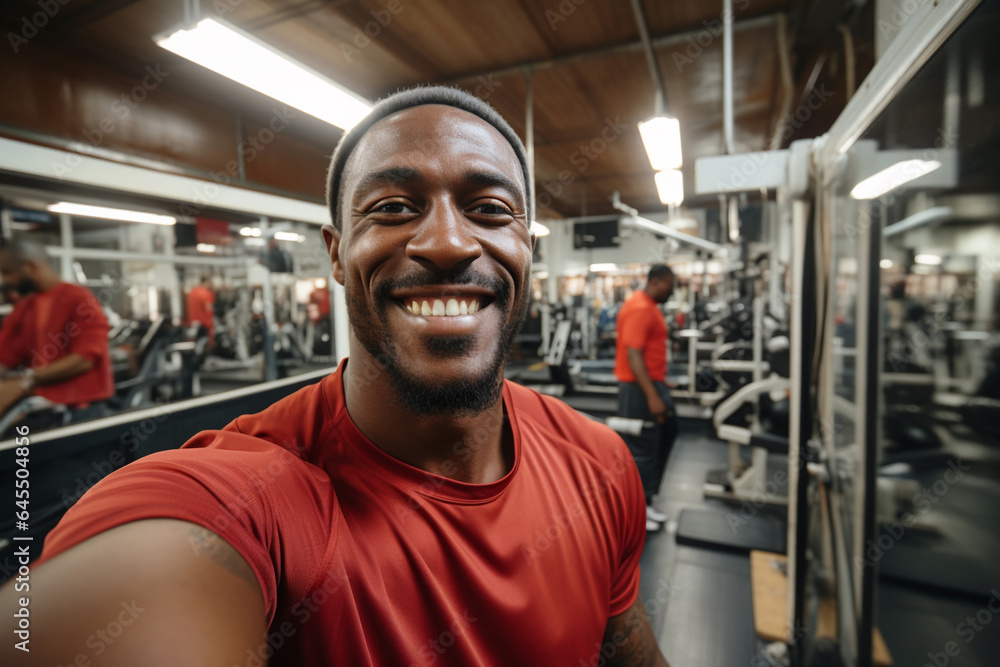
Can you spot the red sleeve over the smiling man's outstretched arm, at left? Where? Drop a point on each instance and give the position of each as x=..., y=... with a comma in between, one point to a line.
x=236, y=494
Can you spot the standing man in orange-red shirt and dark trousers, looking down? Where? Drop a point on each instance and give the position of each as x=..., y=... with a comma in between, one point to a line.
x=641, y=369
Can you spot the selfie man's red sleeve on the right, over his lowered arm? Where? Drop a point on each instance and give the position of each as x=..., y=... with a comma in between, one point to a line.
x=632, y=536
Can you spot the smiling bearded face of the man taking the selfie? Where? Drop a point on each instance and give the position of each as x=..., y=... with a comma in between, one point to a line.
x=435, y=255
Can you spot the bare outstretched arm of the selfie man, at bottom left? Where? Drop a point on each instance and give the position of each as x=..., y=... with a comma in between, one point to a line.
x=152, y=592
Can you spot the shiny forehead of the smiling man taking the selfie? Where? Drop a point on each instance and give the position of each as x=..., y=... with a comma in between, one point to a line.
x=428, y=133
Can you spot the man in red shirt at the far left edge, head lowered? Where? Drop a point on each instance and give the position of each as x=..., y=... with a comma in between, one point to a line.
x=55, y=342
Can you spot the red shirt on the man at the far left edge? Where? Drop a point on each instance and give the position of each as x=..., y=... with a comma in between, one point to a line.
x=46, y=326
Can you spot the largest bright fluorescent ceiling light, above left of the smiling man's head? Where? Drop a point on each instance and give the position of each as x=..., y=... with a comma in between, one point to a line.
x=245, y=59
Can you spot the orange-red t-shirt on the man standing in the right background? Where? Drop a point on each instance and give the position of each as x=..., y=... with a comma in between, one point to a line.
x=641, y=326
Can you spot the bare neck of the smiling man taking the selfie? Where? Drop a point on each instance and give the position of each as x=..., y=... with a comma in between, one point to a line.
x=475, y=449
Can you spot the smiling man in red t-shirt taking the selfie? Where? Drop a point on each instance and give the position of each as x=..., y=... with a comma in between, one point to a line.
x=412, y=508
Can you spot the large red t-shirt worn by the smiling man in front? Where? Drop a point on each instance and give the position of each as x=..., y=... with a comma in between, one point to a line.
x=365, y=560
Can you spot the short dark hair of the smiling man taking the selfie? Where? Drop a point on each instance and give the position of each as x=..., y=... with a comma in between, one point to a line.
x=414, y=97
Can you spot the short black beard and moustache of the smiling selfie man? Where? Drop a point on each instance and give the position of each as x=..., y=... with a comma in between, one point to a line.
x=468, y=396
